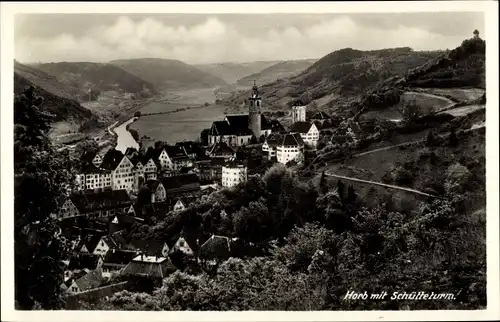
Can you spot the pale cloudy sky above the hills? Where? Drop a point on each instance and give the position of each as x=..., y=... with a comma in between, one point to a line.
x=214, y=38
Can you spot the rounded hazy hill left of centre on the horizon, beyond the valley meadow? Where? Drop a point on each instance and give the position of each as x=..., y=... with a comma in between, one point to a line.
x=168, y=74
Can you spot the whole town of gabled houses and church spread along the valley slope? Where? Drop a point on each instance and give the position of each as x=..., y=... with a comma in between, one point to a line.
x=114, y=190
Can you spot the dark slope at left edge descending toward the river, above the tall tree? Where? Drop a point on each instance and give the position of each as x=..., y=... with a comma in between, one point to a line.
x=63, y=108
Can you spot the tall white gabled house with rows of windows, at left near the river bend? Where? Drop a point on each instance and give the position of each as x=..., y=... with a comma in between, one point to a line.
x=122, y=174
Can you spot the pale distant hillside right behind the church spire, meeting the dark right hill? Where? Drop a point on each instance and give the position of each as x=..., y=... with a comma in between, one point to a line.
x=277, y=71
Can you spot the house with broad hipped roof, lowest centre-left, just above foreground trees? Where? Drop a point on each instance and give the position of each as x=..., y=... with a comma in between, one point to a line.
x=148, y=266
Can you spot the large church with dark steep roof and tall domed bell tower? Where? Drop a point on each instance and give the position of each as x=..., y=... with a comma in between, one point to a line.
x=237, y=130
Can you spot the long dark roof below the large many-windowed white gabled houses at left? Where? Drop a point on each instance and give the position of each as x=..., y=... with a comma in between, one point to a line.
x=92, y=201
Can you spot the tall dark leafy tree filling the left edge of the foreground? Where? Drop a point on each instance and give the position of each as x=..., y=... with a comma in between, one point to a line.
x=42, y=176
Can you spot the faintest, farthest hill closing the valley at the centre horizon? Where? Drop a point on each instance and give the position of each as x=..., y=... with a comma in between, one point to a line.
x=231, y=72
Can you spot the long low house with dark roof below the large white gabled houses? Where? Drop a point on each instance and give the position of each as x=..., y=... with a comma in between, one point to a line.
x=95, y=204
